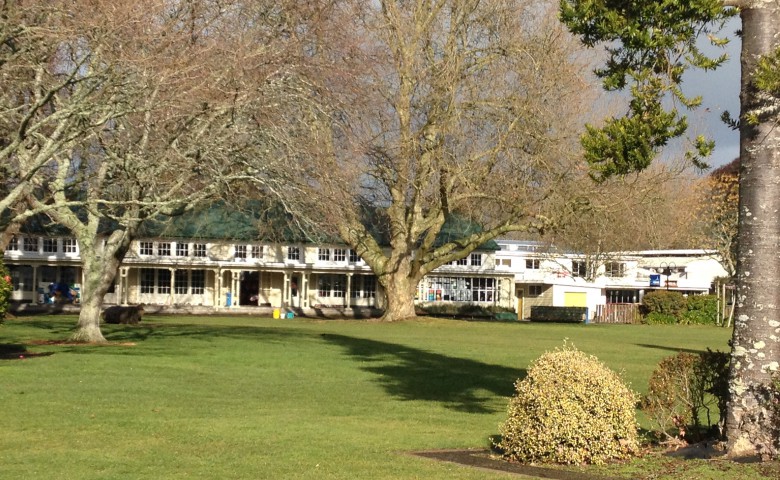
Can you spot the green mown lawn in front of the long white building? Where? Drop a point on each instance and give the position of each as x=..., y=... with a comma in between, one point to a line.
x=241, y=397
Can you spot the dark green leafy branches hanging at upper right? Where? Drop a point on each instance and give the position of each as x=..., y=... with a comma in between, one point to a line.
x=649, y=45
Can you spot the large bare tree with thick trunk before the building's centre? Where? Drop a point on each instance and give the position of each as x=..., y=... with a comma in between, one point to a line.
x=439, y=110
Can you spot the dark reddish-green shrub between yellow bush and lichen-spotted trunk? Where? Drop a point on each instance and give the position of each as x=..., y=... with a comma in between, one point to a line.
x=682, y=390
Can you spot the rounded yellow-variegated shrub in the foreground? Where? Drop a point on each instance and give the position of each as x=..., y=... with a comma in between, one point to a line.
x=570, y=409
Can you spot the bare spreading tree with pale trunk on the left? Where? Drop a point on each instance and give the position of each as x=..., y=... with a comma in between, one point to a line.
x=177, y=92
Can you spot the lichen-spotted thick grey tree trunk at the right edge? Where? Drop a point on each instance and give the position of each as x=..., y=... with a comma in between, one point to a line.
x=750, y=428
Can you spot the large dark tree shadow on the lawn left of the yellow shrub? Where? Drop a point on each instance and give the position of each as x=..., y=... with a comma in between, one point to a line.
x=413, y=374
